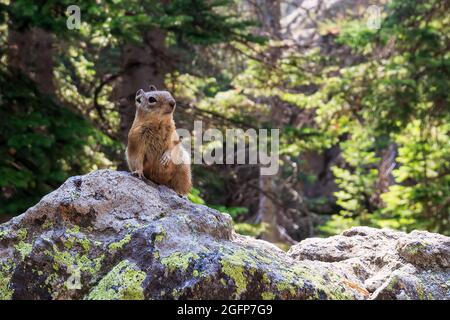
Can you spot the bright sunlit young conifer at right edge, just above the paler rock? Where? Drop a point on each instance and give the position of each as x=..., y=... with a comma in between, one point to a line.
x=421, y=199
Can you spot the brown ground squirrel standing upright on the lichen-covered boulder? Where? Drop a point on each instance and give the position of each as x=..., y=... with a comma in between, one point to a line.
x=154, y=149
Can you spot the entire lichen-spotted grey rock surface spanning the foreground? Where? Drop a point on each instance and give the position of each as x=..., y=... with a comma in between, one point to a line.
x=109, y=235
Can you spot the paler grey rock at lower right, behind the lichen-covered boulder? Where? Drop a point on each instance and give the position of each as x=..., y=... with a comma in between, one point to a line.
x=388, y=264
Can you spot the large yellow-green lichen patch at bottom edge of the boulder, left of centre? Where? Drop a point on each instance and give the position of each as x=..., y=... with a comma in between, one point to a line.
x=123, y=282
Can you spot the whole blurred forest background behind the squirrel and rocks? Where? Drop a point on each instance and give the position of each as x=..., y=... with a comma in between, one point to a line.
x=358, y=89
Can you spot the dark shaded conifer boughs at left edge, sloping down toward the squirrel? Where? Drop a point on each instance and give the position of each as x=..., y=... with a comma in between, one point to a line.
x=42, y=144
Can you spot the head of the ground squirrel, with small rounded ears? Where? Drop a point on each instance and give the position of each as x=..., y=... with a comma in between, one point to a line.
x=158, y=103
